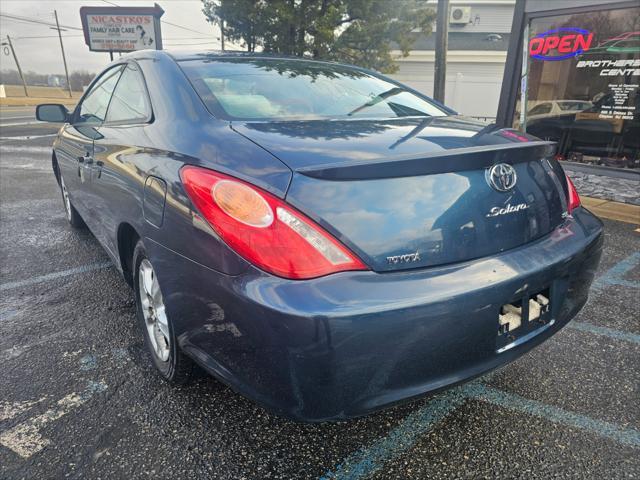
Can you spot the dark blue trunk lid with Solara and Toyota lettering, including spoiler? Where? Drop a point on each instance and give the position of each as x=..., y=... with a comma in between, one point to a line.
x=414, y=193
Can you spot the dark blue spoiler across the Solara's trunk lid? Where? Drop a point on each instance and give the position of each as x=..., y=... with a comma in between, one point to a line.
x=443, y=161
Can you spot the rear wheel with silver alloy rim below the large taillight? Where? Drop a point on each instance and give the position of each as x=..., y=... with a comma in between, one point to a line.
x=156, y=327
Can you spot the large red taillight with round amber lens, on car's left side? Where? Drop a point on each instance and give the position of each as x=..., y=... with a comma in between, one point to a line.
x=265, y=230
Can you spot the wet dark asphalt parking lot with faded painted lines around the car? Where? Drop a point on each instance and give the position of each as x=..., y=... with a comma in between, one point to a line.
x=79, y=397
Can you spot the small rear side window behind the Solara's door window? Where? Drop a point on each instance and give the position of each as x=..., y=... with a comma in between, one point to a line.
x=129, y=103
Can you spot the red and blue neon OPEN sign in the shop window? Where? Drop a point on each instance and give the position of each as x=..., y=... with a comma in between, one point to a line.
x=560, y=43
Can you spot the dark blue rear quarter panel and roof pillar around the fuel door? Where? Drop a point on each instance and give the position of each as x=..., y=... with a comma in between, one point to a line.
x=181, y=132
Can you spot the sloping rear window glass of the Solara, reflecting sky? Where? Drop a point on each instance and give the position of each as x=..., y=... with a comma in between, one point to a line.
x=276, y=89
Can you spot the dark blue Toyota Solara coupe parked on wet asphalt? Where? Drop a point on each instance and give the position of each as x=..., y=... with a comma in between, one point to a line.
x=323, y=239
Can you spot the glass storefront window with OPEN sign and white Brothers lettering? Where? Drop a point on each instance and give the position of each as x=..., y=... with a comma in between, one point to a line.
x=580, y=85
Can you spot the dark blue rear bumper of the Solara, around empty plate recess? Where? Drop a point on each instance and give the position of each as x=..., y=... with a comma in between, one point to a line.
x=351, y=343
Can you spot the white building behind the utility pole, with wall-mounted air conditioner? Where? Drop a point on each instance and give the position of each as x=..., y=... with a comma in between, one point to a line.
x=479, y=32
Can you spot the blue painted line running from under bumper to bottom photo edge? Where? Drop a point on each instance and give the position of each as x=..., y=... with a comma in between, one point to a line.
x=364, y=462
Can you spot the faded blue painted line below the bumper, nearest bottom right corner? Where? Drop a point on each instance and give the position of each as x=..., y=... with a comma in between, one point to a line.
x=625, y=436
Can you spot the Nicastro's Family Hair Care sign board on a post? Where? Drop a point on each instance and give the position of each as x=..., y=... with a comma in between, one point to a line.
x=121, y=29
